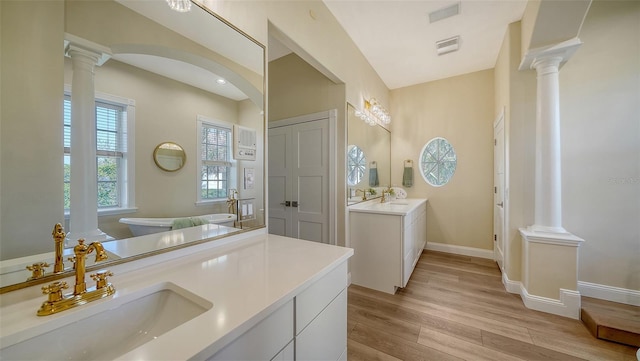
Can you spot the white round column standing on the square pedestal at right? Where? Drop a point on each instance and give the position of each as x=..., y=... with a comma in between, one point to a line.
x=548, y=170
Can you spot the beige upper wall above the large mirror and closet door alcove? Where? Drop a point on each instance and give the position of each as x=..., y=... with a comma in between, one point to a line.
x=320, y=37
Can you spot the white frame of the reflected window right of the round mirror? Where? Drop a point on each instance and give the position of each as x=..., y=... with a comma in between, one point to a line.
x=203, y=121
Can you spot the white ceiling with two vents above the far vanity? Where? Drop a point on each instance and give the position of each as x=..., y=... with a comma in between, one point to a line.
x=399, y=42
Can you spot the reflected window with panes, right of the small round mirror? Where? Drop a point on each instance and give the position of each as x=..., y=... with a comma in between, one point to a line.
x=215, y=161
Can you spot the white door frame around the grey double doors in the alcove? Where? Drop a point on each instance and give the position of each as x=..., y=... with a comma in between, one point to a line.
x=332, y=115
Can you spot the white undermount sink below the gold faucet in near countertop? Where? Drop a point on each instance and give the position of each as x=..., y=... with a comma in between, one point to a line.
x=108, y=334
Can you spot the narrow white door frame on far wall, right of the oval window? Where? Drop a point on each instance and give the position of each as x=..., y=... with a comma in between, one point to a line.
x=499, y=122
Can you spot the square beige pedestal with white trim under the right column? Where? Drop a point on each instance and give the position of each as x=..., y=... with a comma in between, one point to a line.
x=550, y=272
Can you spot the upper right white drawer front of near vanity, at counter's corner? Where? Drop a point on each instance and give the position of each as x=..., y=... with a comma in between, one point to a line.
x=310, y=302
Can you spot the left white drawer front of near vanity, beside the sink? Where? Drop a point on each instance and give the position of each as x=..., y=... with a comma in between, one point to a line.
x=264, y=341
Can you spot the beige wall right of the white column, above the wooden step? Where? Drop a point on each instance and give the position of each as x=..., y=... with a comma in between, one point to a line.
x=600, y=114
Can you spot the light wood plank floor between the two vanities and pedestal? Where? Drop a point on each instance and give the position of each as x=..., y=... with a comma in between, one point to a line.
x=455, y=308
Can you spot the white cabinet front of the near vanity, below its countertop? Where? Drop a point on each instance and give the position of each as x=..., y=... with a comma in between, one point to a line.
x=318, y=315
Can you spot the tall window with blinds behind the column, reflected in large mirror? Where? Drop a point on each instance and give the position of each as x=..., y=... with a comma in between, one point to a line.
x=111, y=151
